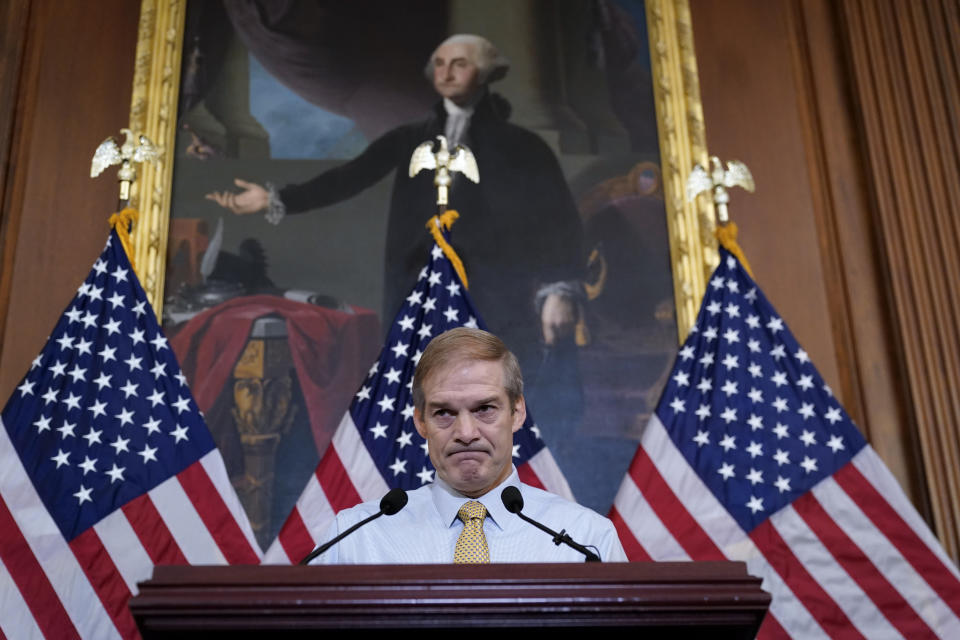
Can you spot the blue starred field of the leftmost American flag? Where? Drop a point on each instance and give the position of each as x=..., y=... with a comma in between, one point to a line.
x=104, y=414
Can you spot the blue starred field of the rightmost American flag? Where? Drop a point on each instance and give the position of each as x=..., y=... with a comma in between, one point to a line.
x=747, y=408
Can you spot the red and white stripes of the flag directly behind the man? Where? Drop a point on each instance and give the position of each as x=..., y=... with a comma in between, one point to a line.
x=347, y=475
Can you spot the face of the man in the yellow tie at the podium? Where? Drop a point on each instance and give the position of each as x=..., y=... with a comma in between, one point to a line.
x=469, y=425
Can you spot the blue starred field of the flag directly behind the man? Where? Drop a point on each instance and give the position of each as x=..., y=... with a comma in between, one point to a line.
x=382, y=409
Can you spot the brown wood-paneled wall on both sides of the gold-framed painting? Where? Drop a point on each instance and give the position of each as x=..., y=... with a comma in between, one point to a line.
x=846, y=112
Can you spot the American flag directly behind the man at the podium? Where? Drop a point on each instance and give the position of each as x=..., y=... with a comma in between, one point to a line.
x=376, y=447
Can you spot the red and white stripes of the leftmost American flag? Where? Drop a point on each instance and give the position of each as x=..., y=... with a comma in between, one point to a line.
x=54, y=589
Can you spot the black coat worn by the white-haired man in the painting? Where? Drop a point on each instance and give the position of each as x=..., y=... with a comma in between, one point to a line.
x=518, y=228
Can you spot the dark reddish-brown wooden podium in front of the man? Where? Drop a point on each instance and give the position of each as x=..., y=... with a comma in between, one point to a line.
x=693, y=599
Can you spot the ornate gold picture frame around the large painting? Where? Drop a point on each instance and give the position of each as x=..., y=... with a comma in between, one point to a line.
x=679, y=121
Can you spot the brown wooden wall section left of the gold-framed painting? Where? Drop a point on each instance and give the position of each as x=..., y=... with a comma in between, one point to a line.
x=68, y=91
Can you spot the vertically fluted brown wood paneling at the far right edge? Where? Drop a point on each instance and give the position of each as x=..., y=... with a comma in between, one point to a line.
x=905, y=62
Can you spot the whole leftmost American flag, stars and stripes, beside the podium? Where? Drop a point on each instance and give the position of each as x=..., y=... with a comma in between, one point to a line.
x=106, y=469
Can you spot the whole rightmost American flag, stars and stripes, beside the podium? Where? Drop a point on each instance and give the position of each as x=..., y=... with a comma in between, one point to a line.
x=750, y=457
